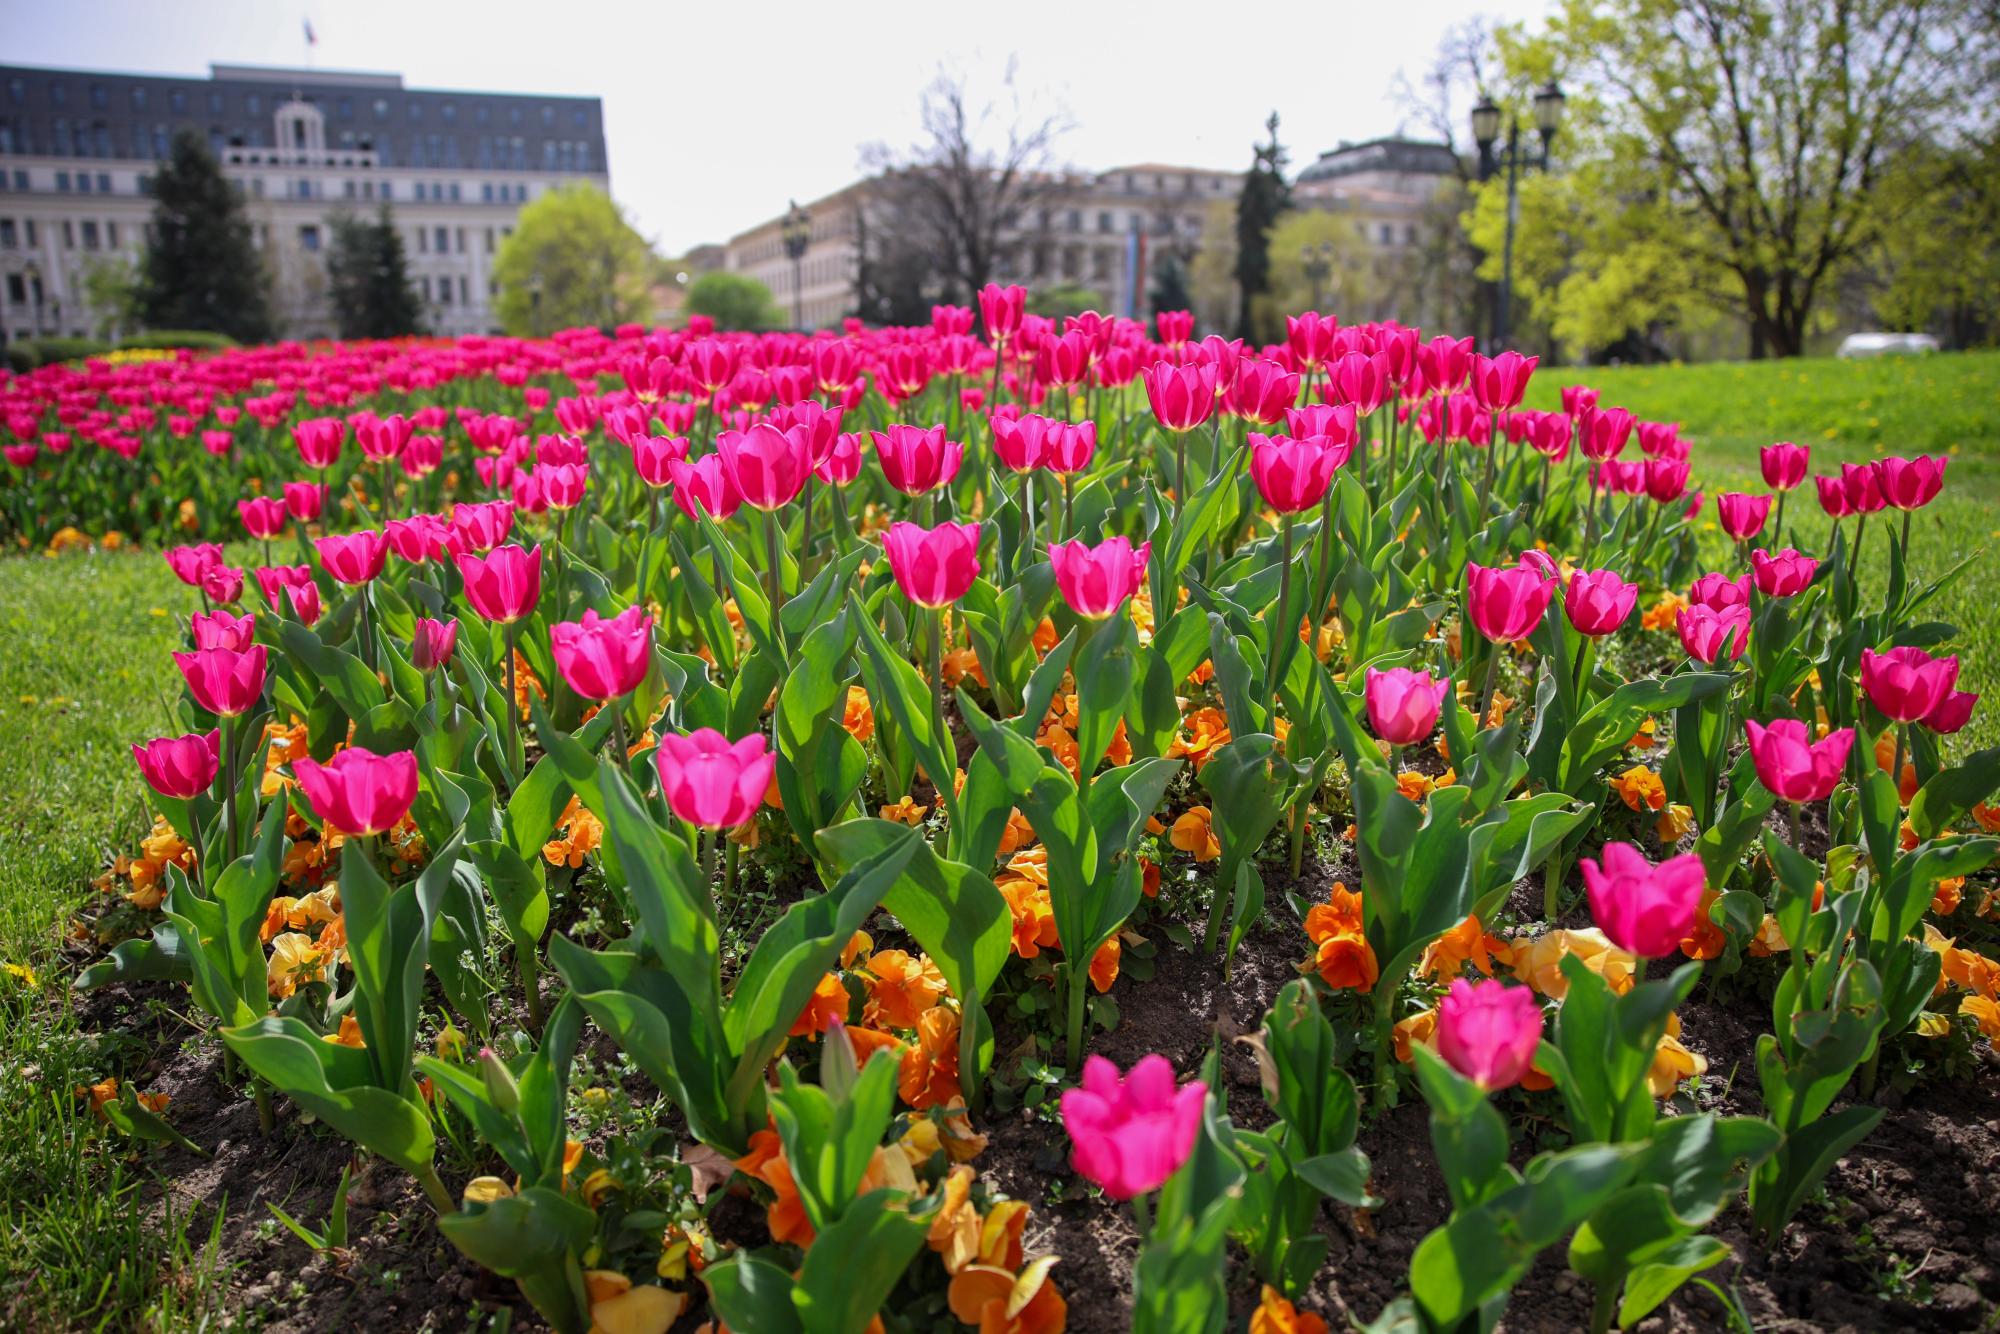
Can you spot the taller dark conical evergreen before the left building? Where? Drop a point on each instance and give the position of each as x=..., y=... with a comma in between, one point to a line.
x=201, y=269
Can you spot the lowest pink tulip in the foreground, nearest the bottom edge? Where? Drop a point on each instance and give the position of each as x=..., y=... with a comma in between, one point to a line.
x=1129, y=1135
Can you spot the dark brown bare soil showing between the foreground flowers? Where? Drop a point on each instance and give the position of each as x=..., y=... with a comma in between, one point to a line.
x=1907, y=1235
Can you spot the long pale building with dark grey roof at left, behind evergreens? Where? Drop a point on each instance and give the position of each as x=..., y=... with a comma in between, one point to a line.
x=79, y=153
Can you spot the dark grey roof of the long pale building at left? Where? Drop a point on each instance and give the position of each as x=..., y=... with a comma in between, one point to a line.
x=133, y=117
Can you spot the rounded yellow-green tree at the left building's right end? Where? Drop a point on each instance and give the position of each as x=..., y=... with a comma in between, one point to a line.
x=573, y=261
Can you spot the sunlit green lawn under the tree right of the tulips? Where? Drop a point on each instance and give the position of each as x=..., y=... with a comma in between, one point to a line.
x=1851, y=413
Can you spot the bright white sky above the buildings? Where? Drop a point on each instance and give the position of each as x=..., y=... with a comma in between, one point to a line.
x=719, y=113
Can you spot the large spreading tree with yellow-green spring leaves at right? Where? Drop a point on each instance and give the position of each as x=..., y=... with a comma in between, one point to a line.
x=1735, y=151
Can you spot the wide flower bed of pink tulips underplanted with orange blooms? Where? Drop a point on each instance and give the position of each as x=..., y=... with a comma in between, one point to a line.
x=729, y=819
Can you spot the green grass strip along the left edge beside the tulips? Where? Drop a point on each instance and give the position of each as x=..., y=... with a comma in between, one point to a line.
x=83, y=673
